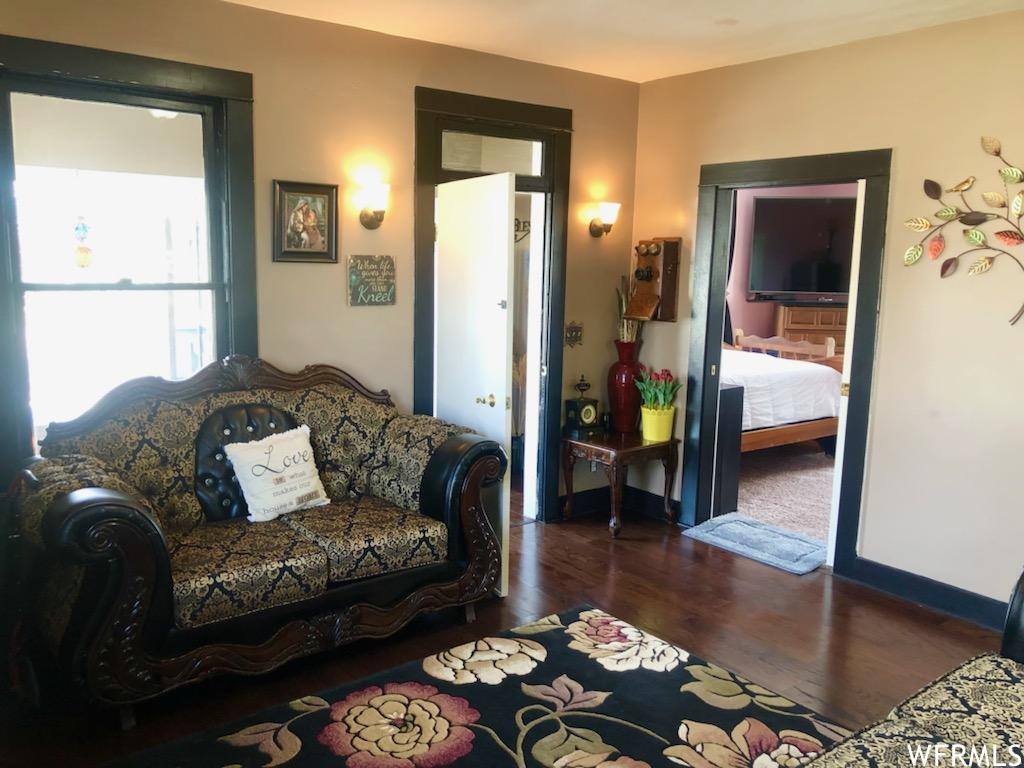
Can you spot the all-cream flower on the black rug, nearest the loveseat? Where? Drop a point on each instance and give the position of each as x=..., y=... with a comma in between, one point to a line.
x=489, y=661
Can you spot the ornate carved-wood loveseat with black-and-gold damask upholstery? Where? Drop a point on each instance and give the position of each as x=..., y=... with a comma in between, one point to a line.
x=146, y=575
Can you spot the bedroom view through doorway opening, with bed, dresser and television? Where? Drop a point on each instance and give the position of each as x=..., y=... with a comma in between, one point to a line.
x=787, y=308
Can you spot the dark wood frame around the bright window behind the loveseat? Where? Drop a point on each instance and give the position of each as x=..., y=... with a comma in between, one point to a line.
x=225, y=100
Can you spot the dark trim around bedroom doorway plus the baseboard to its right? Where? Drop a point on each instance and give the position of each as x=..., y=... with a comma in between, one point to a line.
x=716, y=211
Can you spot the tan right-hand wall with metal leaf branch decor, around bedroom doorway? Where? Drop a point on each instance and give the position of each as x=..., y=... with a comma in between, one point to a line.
x=945, y=479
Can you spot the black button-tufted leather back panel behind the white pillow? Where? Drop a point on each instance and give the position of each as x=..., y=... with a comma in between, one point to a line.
x=217, y=487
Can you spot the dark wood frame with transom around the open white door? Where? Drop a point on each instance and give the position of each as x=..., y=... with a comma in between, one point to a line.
x=437, y=111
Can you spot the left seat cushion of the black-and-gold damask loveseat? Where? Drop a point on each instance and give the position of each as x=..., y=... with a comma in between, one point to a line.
x=226, y=570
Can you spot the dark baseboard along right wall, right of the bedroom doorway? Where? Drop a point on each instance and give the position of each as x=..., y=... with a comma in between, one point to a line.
x=945, y=599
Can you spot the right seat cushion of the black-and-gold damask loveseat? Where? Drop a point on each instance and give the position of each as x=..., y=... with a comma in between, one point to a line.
x=367, y=537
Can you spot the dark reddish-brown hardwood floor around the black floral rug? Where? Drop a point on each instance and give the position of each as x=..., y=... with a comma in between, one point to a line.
x=843, y=650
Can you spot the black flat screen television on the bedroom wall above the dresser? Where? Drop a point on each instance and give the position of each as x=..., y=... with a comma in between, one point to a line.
x=803, y=249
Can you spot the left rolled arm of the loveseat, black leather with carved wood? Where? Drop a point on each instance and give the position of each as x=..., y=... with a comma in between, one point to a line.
x=79, y=514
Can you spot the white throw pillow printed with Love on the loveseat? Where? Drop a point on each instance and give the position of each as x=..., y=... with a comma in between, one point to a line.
x=278, y=475
